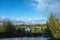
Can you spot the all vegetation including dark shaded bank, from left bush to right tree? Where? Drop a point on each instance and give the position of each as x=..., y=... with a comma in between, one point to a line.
x=51, y=28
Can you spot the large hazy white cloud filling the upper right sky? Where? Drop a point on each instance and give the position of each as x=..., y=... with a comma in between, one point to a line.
x=51, y=5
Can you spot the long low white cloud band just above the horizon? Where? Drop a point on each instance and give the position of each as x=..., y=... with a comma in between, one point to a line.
x=20, y=21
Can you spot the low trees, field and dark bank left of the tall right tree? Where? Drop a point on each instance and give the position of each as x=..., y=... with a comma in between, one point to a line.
x=7, y=29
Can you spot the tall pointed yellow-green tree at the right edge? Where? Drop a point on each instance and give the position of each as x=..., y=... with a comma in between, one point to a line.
x=53, y=24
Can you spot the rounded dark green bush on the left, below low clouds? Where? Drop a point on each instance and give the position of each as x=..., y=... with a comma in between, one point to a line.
x=7, y=26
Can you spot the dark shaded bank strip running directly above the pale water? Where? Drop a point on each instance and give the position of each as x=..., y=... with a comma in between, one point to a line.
x=13, y=35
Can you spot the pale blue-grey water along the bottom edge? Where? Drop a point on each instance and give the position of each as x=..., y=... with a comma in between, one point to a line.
x=26, y=38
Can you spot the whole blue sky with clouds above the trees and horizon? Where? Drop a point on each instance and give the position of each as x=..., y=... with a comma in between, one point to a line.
x=27, y=10
